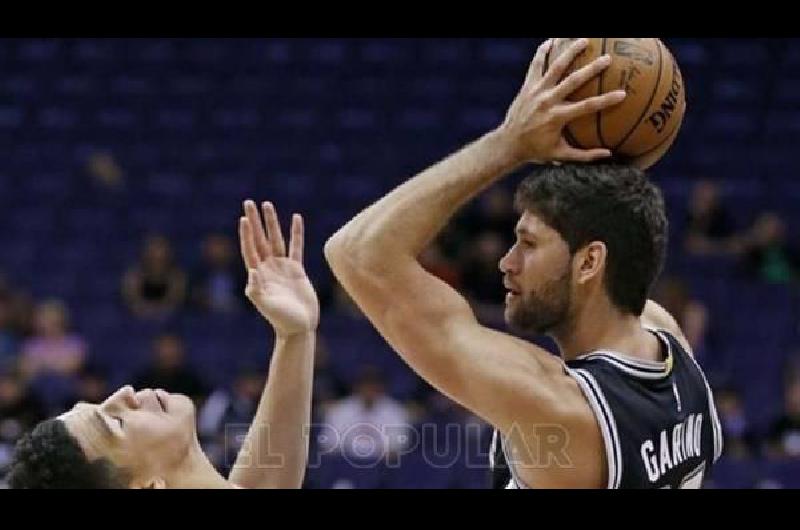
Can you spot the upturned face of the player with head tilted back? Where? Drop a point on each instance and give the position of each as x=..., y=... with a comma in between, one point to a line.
x=147, y=433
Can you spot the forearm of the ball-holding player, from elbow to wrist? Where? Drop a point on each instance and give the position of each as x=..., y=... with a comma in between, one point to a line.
x=404, y=222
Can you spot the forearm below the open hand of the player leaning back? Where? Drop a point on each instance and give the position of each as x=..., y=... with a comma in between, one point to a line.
x=275, y=451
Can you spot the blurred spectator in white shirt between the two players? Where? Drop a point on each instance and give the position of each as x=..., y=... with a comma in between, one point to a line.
x=369, y=423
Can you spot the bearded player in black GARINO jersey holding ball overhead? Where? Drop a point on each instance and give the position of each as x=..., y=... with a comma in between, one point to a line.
x=626, y=405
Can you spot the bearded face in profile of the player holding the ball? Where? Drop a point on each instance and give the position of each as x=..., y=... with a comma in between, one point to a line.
x=537, y=274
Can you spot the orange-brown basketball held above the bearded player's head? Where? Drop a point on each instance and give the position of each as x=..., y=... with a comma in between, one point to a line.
x=641, y=129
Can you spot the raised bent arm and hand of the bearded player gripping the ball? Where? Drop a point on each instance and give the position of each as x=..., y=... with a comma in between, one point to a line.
x=432, y=327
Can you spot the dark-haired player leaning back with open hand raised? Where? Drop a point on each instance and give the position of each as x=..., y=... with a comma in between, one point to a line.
x=148, y=439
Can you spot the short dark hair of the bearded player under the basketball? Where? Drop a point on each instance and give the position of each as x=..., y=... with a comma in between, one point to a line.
x=612, y=203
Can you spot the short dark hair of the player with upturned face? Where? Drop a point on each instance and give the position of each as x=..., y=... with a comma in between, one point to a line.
x=49, y=457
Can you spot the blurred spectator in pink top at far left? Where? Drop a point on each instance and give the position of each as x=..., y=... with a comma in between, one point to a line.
x=53, y=349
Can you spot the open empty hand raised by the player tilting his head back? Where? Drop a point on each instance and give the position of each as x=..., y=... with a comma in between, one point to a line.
x=277, y=282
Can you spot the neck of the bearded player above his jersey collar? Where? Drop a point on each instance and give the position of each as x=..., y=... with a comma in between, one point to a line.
x=604, y=328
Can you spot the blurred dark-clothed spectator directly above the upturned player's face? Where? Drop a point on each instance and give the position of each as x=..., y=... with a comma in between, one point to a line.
x=170, y=372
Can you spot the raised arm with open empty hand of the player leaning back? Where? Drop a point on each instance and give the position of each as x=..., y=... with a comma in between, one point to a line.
x=275, y=451
